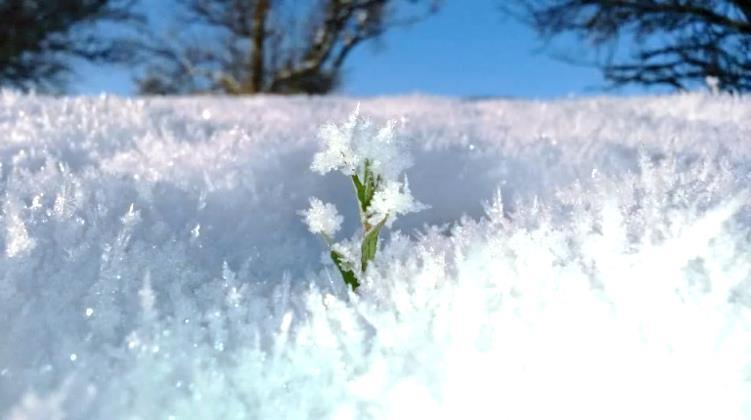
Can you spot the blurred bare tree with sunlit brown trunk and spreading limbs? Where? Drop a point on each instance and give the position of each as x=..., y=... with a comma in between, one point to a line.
x=279, y=46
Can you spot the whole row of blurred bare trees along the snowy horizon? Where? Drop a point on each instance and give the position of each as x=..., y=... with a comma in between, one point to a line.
x=240, y=47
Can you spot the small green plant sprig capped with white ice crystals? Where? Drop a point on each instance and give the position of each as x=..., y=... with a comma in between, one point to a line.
x=375, y=158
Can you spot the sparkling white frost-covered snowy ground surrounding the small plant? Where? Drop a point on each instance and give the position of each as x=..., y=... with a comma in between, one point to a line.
x=154, y=265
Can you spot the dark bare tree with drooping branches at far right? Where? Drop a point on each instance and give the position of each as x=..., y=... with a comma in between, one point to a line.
x=678, y=43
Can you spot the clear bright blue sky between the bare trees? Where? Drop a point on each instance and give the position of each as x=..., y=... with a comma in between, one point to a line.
x=468, y=49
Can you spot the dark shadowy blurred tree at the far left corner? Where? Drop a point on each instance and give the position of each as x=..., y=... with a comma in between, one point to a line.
x=40, y=39
